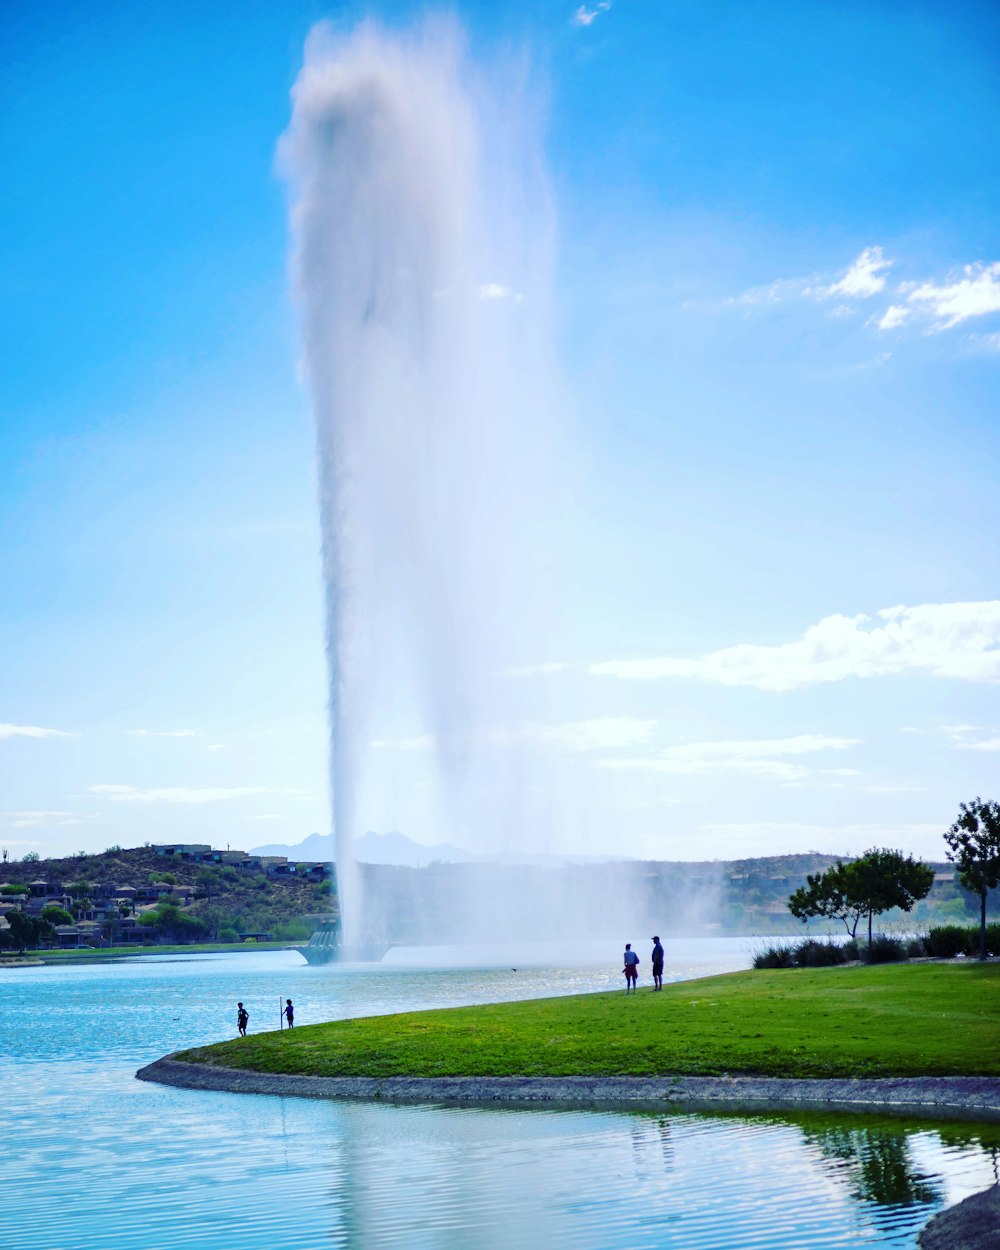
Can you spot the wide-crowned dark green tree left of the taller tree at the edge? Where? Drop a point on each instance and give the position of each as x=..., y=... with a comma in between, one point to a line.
x=877, y=882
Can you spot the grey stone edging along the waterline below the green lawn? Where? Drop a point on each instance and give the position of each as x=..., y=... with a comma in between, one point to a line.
x=942, y=1098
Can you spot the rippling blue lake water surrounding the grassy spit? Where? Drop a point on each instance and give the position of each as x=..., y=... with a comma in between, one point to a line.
x=96, y=1161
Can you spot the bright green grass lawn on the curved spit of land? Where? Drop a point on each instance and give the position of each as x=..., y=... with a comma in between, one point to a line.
x=888, y=1021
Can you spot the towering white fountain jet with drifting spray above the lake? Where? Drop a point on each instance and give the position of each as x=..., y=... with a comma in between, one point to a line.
x=422, y=263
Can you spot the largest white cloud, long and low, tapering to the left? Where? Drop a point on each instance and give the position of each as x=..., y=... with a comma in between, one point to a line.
x=946, y=641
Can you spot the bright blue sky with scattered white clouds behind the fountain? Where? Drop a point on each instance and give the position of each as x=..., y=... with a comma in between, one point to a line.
x=778, y=306
